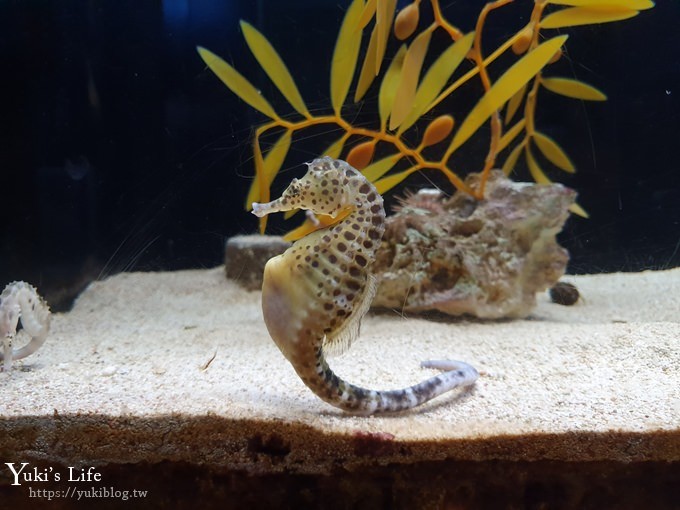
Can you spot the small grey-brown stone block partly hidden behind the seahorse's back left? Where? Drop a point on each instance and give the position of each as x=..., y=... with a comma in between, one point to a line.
x=246, y=256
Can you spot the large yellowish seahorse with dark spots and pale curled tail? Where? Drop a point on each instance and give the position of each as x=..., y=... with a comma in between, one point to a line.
x=315, y=294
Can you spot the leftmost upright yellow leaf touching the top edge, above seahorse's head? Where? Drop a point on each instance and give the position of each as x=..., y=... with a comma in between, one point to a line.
x=345, y=55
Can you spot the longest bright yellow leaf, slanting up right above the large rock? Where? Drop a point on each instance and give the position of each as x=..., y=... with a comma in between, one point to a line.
x=505, y=87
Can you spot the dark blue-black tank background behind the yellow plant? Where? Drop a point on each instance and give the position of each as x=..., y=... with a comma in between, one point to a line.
x=120, y=151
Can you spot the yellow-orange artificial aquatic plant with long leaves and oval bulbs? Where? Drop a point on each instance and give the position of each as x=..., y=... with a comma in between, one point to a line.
x=406, y=95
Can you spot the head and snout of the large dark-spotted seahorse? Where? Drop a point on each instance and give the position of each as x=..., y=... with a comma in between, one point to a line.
x=322, y=190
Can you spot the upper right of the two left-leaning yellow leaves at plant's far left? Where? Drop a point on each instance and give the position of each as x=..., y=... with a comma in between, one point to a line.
x=272, y=64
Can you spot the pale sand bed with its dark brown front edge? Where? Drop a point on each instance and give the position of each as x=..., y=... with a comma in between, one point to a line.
x=179, y=366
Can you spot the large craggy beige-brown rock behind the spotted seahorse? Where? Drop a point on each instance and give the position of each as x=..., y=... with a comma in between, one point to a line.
x=485, y=258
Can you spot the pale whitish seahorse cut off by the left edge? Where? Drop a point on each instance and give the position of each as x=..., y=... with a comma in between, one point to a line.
x=19, y=300
